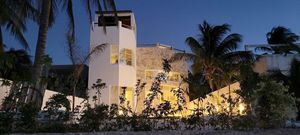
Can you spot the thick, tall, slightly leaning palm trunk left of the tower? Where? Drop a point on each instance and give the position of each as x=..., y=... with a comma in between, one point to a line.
x=40, y=52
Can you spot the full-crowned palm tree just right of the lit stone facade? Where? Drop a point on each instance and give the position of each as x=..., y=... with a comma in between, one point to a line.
x=212, y=52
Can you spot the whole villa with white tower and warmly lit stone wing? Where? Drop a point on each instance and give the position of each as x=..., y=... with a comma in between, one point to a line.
x=123, y=63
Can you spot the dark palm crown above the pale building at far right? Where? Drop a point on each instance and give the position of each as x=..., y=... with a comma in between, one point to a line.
x=282, y=41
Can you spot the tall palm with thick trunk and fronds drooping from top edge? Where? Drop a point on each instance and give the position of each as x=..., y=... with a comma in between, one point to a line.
x=48, y=8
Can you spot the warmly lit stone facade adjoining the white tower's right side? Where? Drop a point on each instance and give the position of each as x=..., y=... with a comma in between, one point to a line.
x=149, y=64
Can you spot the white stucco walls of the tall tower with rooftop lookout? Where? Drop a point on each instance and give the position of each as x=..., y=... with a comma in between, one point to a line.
x=100, y=66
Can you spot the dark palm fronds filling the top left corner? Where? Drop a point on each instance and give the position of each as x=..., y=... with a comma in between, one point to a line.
x=13, y=17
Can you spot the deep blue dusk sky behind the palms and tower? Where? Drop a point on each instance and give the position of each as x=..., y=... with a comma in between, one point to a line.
x=171, y=21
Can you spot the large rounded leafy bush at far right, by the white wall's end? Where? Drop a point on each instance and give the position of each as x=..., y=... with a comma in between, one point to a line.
x=273, y=105
